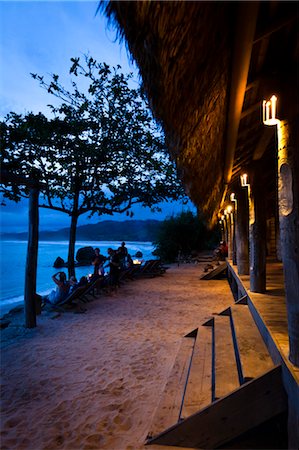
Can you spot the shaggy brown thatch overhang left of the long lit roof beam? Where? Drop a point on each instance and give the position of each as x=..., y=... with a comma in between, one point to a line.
x=183, y=50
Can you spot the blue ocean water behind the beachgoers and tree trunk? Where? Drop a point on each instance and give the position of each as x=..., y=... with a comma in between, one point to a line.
x=13, y=261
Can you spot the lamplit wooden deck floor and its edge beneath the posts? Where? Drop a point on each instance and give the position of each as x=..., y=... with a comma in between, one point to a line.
x=270, y=314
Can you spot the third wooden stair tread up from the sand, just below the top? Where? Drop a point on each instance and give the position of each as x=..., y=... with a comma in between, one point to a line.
x=226, y=372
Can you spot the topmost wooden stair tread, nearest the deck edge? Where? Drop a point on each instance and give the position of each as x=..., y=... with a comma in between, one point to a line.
x=254, y=356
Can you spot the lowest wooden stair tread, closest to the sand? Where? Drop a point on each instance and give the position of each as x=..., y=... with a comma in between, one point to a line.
x=168, y=411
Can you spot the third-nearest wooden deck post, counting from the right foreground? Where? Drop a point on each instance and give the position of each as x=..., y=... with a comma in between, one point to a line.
x=242, y=243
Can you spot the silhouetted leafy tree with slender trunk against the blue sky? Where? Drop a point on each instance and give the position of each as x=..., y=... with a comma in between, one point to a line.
x=101, y=153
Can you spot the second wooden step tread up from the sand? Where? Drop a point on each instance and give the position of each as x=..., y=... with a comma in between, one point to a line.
x=199, y=385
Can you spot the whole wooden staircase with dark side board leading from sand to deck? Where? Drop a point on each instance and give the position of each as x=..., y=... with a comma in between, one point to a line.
x=222, y=384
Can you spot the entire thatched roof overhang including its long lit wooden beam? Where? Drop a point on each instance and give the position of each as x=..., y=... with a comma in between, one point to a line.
x=198, y=62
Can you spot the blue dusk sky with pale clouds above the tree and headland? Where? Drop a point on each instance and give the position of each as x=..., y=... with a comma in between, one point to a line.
x=41, y=37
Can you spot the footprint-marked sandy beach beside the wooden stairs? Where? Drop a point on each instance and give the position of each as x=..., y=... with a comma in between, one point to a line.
x=93, y=380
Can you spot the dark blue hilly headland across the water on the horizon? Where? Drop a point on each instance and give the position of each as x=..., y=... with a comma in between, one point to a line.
x=107, y=230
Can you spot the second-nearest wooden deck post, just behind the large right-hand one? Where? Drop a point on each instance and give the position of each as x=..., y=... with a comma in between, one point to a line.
x=257, y=233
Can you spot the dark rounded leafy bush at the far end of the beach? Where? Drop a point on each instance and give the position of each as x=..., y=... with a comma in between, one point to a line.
x=184, y=233
